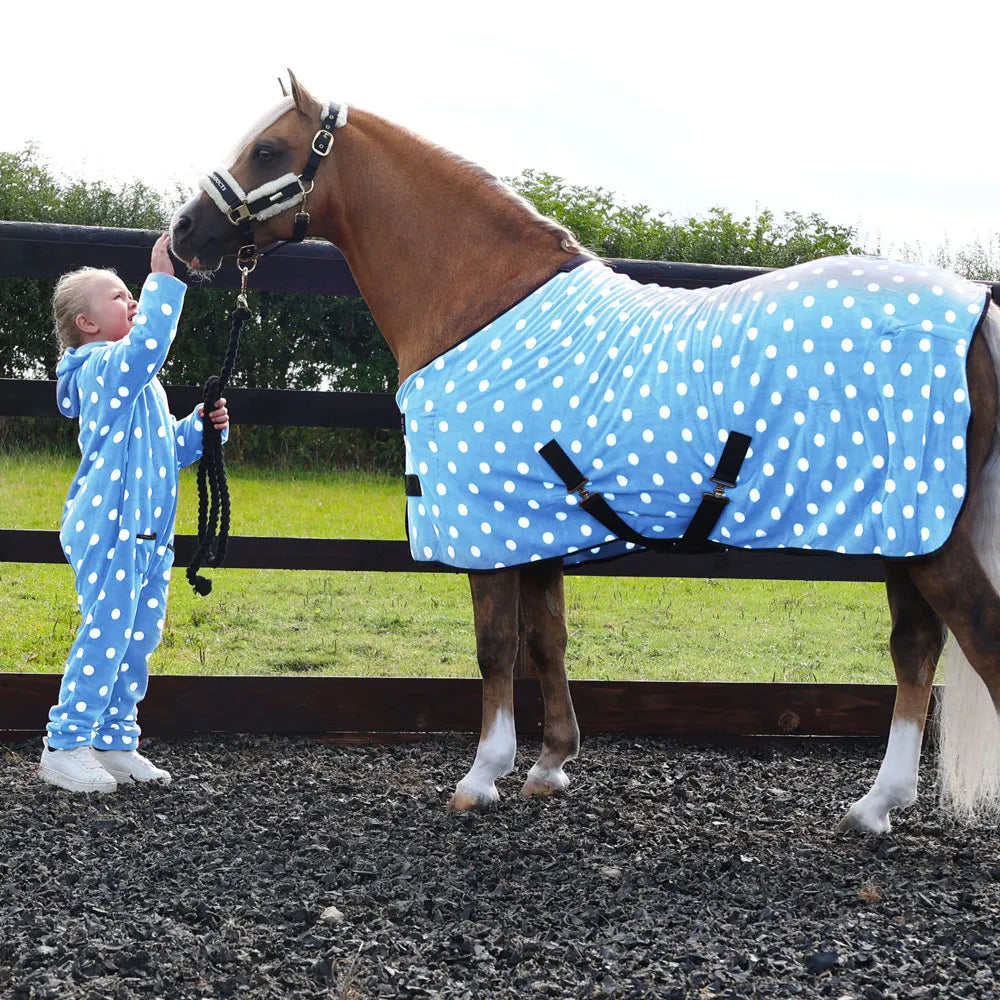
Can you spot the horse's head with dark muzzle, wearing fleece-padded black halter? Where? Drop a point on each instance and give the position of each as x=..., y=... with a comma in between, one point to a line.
x=271, y=170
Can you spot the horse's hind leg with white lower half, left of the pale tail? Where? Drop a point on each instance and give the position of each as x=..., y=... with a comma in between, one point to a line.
x=915, y=643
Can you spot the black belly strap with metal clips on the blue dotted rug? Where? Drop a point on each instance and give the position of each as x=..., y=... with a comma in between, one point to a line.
x=695, y=537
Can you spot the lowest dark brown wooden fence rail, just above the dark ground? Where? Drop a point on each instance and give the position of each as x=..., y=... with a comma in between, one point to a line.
x=314, y=706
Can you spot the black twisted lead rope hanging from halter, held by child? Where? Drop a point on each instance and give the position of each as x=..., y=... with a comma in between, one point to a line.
x=213, y=488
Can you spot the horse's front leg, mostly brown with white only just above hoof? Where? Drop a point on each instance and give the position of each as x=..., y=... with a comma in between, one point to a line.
x=543, y=606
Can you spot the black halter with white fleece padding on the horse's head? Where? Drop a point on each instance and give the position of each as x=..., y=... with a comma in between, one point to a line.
x=243, y=209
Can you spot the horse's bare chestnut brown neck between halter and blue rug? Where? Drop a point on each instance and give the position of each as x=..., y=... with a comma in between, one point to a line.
x=437, y=249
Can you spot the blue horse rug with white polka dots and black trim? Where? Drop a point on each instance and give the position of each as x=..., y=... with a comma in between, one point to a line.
x=822, y=406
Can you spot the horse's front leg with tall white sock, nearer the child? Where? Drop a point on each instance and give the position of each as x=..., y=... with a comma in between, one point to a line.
x=495, y=599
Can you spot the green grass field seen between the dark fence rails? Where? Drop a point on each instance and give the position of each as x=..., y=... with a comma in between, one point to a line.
x=392, y=624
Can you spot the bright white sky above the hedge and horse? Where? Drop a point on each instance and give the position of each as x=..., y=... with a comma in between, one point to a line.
x=876, y=114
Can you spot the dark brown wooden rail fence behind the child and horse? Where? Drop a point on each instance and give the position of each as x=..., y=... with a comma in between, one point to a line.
x=402, y=705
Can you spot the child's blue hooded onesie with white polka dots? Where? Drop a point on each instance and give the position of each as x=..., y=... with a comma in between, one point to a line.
x=118, y=521
